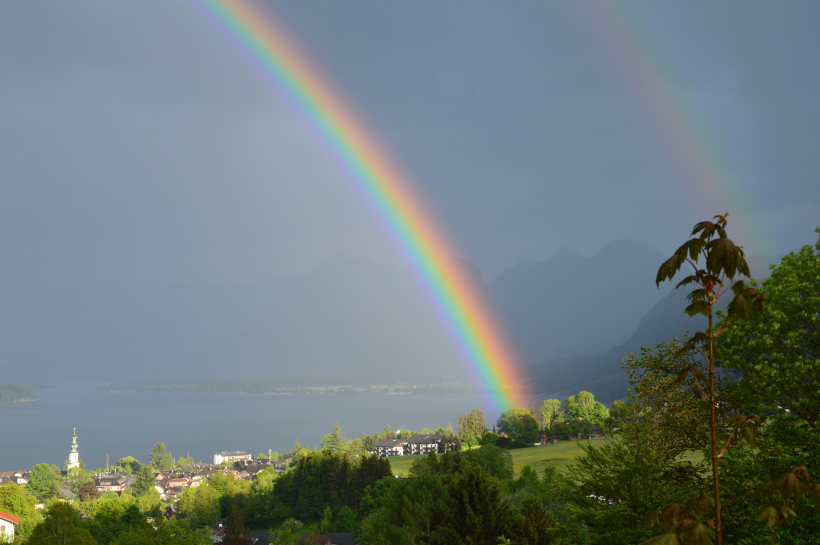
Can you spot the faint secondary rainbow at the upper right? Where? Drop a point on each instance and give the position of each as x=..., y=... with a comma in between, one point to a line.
x=690, y=138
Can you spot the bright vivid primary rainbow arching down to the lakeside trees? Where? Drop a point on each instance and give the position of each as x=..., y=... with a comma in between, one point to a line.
x=458, y=302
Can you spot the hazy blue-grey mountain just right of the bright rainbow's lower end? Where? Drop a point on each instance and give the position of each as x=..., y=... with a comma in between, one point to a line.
x=571, y=304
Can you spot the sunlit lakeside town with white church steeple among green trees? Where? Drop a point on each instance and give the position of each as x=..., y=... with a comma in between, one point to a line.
x=168, y=487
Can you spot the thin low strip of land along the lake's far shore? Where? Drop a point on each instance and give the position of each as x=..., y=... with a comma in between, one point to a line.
x=294, y=385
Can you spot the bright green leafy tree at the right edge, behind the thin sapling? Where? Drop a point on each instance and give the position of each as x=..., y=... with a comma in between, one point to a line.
x=777, y=353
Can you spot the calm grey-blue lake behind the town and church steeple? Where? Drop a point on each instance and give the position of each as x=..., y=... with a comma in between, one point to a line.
x=129, y=424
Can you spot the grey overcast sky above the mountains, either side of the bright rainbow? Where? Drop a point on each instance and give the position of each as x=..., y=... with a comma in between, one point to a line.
x=137, y=146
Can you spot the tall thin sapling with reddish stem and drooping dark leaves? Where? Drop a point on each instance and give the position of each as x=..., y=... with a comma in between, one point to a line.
x=723, y=259
